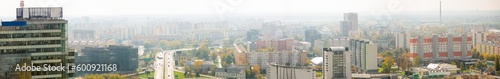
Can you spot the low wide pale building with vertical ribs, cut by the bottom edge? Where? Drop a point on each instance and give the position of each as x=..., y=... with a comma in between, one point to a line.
x=288, y=72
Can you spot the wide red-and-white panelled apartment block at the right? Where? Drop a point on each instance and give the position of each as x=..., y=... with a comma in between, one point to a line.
x=441, y=47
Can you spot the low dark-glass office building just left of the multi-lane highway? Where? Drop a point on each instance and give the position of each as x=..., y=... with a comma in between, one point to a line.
x=125, y=57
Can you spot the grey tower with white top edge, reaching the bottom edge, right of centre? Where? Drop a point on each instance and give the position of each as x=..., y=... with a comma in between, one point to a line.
x=336, y=63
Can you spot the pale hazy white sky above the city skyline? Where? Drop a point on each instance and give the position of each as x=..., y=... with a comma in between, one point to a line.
x=130, y=7
